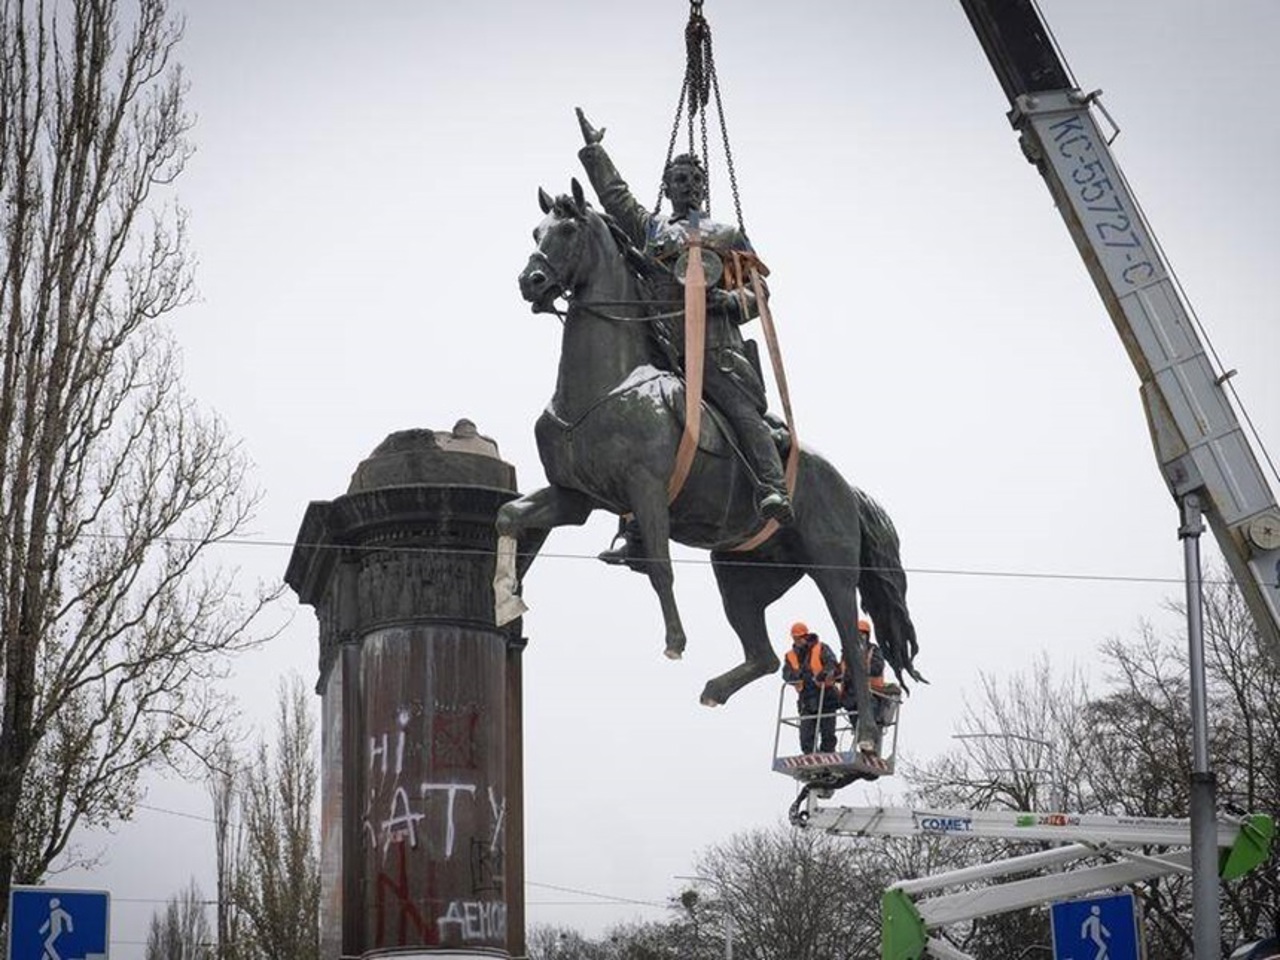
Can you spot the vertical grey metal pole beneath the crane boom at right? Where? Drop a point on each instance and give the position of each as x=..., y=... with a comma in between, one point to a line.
x=1204, y=787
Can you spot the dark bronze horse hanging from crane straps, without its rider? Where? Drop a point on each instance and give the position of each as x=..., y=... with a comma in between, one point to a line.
x=609, y=441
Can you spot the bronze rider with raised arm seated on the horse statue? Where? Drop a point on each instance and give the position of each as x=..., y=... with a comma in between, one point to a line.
x=730, y=380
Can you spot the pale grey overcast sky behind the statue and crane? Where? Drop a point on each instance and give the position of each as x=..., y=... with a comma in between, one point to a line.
x=362, y=202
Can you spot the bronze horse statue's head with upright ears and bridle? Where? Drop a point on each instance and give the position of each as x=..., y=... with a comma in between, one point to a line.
x=559, y=267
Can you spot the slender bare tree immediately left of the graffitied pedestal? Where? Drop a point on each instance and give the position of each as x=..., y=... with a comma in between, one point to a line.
x=277, y=884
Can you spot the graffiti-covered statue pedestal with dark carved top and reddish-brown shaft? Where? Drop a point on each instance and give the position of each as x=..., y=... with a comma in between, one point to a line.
x=422, y=781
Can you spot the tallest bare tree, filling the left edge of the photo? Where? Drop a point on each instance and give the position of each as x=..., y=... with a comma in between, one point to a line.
x=113, y=487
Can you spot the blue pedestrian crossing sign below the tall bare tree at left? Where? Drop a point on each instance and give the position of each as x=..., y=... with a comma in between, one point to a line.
x=58, y=925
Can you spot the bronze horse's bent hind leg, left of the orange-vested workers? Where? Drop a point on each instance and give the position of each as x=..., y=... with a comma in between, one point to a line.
x=747, y=589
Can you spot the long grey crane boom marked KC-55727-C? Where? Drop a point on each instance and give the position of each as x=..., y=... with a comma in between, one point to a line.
x=1199, y=441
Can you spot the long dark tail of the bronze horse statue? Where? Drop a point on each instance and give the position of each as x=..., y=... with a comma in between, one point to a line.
x=883, y=586
